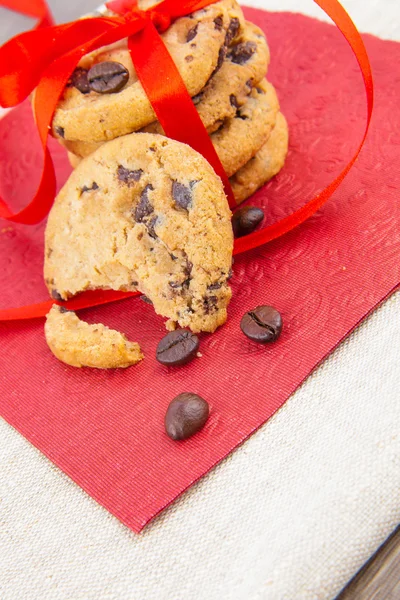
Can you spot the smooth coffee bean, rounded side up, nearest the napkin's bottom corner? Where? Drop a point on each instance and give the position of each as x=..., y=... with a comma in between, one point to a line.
x=185, y=416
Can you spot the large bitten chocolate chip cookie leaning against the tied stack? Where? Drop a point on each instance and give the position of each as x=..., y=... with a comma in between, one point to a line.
x=148, y=213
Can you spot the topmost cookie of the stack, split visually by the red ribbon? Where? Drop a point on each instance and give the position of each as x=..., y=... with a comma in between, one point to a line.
x=197, y=44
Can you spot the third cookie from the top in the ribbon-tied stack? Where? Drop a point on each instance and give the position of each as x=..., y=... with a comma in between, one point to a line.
x=237, y=140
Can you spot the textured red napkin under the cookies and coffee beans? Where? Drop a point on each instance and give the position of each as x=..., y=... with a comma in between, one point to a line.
x=105, y=429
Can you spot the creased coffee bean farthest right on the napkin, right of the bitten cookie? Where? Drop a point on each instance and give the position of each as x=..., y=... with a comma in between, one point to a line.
x=262, y=324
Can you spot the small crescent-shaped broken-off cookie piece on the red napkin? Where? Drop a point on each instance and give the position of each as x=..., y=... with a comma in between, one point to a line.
x=79, y=344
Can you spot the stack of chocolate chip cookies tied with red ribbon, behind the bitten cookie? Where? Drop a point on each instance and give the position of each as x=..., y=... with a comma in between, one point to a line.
x=223, y=60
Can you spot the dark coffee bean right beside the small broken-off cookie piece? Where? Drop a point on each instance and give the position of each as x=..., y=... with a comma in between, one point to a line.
x=177, y=348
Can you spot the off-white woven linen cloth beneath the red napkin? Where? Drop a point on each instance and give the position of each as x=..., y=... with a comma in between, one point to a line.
x=291, y=515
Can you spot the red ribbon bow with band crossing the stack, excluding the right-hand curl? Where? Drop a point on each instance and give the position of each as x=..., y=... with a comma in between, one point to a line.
x=44, y=59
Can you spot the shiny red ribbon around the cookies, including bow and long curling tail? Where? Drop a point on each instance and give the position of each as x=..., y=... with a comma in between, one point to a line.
x=57, y=60
